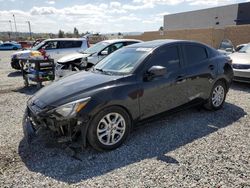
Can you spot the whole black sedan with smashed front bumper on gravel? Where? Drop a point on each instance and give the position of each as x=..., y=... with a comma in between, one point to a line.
x=137, y=82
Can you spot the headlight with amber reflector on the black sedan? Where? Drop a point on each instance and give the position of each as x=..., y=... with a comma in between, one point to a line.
x=72, y=108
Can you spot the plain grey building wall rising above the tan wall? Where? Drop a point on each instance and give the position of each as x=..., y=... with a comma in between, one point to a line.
x=218, y=17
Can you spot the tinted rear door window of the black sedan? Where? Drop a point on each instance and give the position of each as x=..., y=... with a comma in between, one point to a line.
x=195, y=54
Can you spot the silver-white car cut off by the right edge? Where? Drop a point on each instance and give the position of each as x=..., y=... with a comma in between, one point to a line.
x=241, y=64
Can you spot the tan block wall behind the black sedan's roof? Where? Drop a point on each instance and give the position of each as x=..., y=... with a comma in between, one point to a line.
x=211, y=36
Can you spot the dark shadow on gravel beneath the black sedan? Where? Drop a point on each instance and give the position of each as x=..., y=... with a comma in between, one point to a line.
x=154, y=140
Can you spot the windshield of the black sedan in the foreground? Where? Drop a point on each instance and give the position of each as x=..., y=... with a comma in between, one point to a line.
x=122, y=61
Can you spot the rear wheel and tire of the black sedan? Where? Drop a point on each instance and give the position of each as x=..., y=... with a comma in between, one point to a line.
x=217, y=96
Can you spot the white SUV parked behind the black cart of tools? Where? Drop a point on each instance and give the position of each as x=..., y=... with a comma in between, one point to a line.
x=55, y=48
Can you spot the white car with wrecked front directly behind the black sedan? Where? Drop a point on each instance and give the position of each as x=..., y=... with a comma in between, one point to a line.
x=89, y=57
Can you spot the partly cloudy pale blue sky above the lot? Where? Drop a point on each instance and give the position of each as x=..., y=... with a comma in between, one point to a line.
x=96, y=15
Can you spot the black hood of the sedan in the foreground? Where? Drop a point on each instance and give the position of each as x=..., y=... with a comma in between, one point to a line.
x=71, y=86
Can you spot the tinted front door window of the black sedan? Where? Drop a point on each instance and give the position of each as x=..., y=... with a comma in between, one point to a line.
x=167, y=57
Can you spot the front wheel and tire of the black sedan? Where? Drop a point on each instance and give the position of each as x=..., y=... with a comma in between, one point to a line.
x=109, y=128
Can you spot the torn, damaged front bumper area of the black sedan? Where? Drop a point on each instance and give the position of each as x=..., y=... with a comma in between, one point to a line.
x=64, y=131
